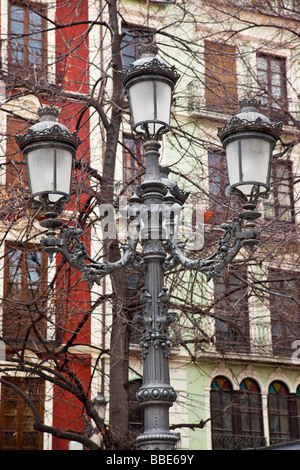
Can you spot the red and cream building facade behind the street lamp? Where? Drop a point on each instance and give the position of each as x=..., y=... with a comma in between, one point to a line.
x=235, y=357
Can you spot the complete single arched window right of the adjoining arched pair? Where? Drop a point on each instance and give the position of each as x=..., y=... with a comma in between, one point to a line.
x=279, y=413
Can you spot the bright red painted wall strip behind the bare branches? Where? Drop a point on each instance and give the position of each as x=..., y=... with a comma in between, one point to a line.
x=72, y=73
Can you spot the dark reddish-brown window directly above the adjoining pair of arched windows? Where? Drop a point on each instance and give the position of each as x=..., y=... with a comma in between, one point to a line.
x=231, y=312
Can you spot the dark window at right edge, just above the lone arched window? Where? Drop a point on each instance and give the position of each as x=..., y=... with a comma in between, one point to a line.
x=284, y=308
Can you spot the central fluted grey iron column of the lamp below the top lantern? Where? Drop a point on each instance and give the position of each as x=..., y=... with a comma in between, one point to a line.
x=156, y=394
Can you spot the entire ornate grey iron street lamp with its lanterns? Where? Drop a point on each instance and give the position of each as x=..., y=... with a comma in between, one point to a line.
x=249, y=139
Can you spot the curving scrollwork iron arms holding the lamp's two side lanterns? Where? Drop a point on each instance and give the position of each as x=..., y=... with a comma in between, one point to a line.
x=228, y=246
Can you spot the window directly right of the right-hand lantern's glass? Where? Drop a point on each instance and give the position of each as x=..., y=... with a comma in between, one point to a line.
x=280, y=205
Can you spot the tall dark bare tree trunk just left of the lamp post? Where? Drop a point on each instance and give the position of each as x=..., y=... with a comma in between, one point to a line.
x=119, y=334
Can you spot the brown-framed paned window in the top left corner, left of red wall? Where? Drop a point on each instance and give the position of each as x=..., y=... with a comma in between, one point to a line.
x=27, y=38
